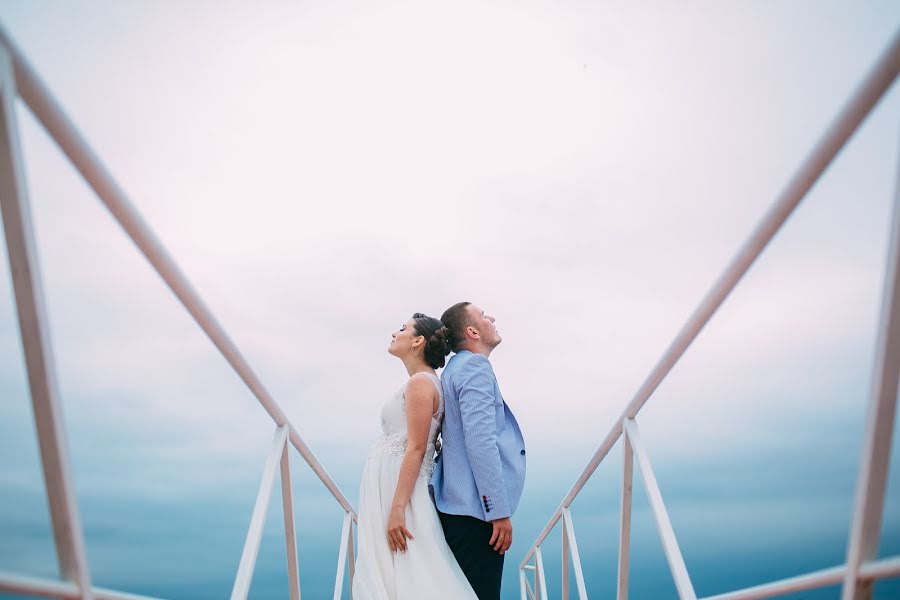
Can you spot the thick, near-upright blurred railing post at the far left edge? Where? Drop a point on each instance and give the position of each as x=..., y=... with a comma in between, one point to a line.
x=35, y=335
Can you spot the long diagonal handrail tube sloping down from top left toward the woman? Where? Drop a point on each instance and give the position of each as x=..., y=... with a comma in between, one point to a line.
x=41, y=102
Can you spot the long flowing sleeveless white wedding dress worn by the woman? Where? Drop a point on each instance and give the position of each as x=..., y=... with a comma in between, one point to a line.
x=428, y=569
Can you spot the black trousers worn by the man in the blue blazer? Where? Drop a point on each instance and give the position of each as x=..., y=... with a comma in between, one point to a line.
x=468, y=538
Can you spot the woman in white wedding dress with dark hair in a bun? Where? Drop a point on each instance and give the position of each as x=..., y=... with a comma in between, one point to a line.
x=402, y=553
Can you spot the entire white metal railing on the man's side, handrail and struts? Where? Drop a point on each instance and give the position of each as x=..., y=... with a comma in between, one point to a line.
x=861, y=568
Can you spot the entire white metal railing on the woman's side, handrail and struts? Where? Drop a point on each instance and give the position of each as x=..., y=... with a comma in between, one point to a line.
x=18, y=79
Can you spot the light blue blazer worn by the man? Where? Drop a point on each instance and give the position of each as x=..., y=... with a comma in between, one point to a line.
x=481, y=468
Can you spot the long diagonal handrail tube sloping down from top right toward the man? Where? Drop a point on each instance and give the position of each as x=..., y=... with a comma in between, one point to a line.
x=865, y=97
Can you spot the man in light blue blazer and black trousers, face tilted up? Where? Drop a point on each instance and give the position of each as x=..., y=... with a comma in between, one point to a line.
x=480, y=472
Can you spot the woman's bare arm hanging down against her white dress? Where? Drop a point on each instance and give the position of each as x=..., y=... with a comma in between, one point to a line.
x=420, y=397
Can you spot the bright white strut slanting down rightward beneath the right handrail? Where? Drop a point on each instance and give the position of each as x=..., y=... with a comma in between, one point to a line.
x=663, y=523
